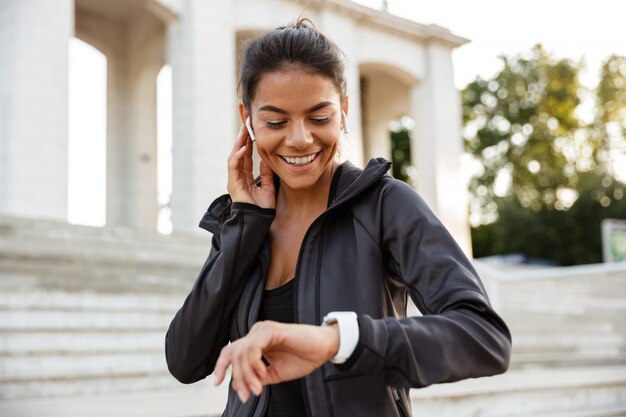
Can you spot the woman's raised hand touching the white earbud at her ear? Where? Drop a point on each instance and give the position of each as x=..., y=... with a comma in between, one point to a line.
x=241, y=185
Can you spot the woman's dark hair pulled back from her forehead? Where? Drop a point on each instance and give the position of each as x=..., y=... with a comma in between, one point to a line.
x=300, y=45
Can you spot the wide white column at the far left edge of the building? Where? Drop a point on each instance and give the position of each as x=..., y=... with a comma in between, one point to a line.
x=34, y=49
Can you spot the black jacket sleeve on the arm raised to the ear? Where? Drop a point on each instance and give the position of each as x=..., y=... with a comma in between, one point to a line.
x=200, y=328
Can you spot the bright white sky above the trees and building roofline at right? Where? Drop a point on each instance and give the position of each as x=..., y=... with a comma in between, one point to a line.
x=574, y=29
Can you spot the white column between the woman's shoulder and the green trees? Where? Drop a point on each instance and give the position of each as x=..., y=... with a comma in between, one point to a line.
x=437, y=146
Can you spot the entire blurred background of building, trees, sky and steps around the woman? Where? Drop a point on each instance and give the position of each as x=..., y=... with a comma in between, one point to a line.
x=116, y=119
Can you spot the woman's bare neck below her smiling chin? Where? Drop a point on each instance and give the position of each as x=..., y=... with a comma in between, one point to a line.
x=305, y=202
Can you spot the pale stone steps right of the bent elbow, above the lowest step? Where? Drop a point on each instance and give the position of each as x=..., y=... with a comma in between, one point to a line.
x=562, y=317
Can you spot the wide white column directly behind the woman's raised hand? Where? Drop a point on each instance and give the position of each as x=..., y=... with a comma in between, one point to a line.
x=202, y=55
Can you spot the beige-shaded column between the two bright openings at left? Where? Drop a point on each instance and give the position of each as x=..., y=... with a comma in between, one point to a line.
x=133, y=66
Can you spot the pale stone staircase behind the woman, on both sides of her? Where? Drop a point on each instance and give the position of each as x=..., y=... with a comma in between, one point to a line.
x=83, y=314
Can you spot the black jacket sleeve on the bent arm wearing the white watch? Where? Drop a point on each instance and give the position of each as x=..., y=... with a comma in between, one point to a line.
x=460, y=335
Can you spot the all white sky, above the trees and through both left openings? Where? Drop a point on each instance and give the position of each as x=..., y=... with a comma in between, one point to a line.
x=575, y=29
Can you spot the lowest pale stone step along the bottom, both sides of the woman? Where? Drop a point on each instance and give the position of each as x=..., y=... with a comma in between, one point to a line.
x=581, y=392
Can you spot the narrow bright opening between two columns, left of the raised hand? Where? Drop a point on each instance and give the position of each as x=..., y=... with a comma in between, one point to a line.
x=164, y=149
